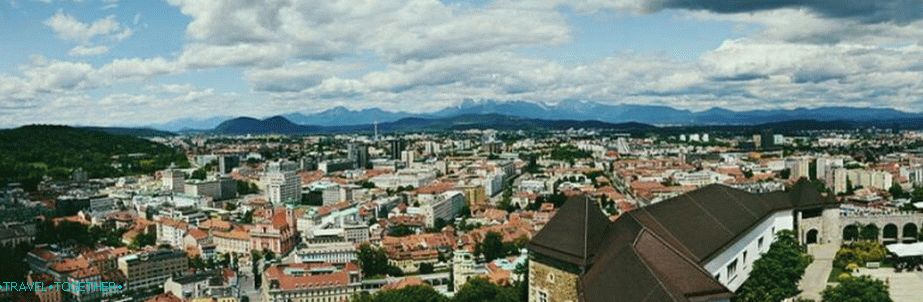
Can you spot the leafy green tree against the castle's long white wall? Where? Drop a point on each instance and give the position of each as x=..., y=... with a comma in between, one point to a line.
x=776, y=274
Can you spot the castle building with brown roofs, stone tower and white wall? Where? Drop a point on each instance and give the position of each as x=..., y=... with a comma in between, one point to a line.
x=699, y=246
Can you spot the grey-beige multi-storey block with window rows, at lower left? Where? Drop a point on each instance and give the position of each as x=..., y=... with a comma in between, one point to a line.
x=151, y=269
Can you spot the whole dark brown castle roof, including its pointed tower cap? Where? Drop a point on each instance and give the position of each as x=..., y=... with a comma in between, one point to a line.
x=656, y=253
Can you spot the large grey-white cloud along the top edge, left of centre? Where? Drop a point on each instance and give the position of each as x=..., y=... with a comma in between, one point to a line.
x=393, y=30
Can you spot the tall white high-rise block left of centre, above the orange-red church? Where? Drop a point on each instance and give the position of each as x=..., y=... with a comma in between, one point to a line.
x=283, y=185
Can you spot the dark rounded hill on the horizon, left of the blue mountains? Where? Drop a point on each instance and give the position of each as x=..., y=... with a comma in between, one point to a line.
x=272, y=125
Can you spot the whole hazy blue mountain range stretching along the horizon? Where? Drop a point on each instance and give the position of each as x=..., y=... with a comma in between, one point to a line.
x=573, y=110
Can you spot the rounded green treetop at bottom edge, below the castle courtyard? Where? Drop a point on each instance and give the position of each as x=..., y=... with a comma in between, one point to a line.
x=857, y=289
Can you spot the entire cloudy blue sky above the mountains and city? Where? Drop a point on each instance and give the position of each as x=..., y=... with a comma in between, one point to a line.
x=136, y=63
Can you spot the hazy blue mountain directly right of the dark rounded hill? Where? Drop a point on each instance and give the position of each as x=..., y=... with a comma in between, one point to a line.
x=342, y=116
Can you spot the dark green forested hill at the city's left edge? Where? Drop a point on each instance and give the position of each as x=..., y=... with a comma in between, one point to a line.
x=27, y=153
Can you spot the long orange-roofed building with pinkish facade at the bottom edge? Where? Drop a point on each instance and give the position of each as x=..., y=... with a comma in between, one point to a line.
x=311, y=282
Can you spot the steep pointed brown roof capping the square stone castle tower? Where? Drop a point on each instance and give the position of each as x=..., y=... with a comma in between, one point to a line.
x=574, y=233
